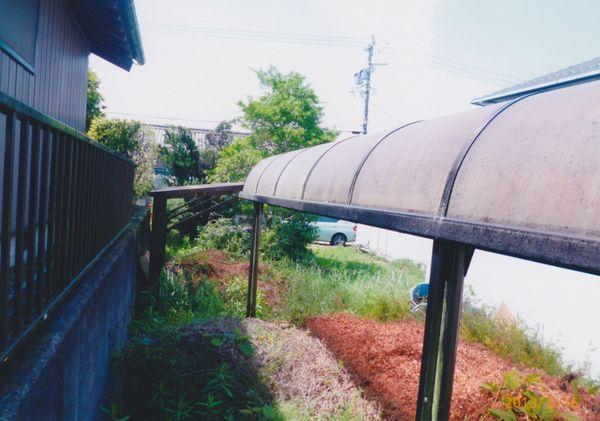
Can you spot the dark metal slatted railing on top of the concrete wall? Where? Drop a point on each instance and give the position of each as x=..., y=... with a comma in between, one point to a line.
x=64, y=199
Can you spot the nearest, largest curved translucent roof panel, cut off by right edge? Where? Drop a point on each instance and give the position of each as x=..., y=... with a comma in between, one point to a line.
x=537, y=165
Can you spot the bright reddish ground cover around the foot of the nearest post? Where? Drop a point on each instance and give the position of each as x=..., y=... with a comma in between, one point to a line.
x=384, y=359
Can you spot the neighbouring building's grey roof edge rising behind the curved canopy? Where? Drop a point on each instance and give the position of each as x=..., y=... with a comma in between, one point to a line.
x=575, y=74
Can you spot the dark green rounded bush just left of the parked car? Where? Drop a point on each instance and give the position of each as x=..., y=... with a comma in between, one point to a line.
x=289, y=237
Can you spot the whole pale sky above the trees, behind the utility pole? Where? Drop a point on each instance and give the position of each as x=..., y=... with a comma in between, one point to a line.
x=199, y=79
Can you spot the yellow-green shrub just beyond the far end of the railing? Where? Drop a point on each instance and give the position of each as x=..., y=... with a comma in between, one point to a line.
x=132, y=140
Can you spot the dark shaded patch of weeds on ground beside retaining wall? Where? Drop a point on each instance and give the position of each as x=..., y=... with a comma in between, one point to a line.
x=204, y=370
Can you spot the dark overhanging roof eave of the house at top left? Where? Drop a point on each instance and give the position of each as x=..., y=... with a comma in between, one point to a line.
x=112, y=30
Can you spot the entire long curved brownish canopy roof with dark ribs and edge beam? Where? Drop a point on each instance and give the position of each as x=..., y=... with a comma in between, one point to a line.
x=520, y=178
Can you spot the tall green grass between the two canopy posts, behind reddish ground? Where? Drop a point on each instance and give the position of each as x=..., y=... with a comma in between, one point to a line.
x=345, y=279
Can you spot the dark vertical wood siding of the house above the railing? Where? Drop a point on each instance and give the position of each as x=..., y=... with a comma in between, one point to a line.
x=58, y=87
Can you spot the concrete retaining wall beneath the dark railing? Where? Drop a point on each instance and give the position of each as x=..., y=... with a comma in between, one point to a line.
x=62, y=372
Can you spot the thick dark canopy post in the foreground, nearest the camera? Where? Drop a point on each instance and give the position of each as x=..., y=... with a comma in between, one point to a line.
x=448, y=268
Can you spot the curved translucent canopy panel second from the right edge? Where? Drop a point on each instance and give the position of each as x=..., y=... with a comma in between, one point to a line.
x=401, y=184
